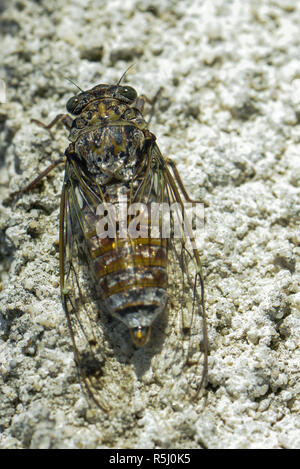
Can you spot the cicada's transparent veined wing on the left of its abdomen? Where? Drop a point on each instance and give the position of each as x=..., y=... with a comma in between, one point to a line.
x=79, y=293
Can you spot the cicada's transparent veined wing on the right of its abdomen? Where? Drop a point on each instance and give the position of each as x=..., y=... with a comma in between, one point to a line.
x=187, y=324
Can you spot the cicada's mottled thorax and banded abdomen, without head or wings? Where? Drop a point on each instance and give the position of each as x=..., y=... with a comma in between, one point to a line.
x=112, y=143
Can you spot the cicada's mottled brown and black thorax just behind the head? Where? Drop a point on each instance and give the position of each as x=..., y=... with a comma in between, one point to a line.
x=111, y=139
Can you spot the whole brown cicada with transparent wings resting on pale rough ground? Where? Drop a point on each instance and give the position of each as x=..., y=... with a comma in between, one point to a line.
x=113, y=163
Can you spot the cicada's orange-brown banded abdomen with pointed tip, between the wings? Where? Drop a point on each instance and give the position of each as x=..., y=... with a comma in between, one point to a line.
x=132, y=278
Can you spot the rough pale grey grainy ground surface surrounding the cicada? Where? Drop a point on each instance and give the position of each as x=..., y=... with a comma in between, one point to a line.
x=229, y=116
